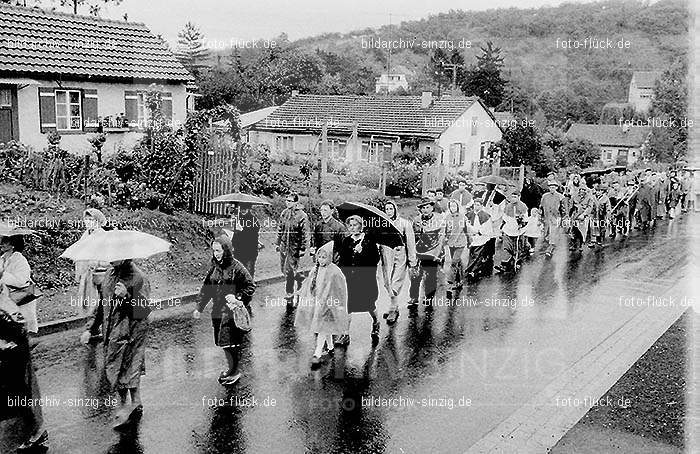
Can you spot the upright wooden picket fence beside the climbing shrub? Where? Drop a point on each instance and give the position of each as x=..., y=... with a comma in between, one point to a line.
x=216, y=175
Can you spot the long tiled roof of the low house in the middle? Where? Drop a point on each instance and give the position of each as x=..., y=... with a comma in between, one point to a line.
x=390, y=115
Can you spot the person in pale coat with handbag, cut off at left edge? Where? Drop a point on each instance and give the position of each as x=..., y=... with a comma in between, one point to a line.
x=16, y=274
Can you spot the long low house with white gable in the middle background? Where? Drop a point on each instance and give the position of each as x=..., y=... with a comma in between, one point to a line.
x=457, y=129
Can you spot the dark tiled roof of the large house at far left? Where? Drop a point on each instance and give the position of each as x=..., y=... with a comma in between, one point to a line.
x=47, y=43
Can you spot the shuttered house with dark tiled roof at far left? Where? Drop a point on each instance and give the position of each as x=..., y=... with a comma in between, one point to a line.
x=79, y=75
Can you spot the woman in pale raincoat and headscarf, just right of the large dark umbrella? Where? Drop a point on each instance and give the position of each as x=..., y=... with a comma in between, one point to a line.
x=396, y=261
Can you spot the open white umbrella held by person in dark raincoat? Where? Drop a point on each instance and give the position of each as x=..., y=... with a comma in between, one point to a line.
x=115, y=245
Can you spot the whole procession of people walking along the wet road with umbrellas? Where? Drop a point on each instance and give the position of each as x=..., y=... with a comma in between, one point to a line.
x=357, y=250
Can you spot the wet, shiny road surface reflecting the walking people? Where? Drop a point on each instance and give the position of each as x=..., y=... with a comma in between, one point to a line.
x=450, y=377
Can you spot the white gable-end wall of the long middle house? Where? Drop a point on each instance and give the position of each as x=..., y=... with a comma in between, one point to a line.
x=472, y=129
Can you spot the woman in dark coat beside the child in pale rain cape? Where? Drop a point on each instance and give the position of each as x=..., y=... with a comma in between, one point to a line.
x=358, y=259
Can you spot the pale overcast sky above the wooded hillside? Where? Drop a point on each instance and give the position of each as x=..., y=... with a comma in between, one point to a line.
x=224, y=20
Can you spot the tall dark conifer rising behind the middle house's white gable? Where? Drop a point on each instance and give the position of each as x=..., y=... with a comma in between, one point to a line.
x=484, y=79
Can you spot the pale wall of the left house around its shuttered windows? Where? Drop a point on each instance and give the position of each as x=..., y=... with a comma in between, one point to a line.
x=110, y=102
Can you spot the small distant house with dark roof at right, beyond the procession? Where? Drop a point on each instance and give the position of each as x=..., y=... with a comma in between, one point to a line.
x=619, y=144
